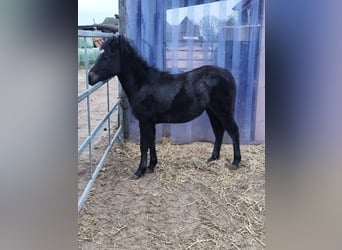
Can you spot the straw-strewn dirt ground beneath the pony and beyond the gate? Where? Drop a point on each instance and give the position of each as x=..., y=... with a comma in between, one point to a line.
x=185, y=204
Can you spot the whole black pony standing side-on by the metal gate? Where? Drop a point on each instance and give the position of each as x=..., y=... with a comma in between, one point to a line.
x=159, y=97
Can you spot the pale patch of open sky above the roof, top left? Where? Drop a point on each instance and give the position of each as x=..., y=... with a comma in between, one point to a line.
x=97, y=9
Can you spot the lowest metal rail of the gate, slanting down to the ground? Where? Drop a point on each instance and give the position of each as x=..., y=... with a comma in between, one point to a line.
x=98, y=168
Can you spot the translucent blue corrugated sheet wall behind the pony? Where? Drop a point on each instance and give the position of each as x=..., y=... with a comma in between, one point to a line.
x=171, y=36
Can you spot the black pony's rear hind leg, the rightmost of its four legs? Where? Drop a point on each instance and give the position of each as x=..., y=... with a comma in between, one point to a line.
x=233, y=130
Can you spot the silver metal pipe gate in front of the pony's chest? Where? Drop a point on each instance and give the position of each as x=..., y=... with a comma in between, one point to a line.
x=88, y=141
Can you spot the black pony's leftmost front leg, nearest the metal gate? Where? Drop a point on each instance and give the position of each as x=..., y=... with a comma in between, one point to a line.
x=146, y=134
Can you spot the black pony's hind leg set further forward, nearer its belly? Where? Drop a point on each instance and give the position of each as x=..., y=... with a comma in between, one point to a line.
x=218, y=130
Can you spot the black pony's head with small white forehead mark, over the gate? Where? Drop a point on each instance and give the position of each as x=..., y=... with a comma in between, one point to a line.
x=108, y=62
